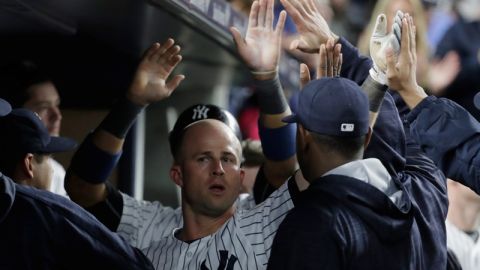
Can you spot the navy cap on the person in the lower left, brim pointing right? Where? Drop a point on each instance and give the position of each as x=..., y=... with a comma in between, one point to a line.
x=23, y=130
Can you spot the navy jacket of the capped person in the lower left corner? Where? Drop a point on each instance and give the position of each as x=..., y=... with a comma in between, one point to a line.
x=41, y=230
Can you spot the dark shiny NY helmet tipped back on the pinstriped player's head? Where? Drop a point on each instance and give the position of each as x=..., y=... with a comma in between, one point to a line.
x=197, y=113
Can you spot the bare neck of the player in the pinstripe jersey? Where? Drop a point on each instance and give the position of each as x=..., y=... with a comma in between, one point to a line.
x=196, y=226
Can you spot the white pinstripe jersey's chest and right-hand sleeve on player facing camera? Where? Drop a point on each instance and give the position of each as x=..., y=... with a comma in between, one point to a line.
x=243, y=242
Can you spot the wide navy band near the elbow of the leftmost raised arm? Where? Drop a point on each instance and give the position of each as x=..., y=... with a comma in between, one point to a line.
x=93, y=164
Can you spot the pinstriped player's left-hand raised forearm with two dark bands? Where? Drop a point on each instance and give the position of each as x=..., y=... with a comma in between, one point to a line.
x=98, y=155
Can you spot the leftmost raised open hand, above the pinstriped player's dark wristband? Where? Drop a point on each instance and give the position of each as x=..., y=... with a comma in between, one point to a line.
x=150, y=81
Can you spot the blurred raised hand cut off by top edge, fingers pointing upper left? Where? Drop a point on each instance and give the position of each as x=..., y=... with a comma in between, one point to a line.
x=311, y=26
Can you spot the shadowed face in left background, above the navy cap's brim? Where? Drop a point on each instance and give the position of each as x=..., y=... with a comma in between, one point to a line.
x=44, y=100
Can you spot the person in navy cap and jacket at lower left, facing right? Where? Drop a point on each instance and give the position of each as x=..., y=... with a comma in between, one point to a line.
x=39, y=229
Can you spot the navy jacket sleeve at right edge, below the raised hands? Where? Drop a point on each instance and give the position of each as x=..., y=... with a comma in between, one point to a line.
x=450, y=136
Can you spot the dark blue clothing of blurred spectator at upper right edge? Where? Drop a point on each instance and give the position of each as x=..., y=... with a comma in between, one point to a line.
x=463, y=38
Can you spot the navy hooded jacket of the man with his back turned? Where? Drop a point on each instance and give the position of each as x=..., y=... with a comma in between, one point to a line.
x=343, y=223
